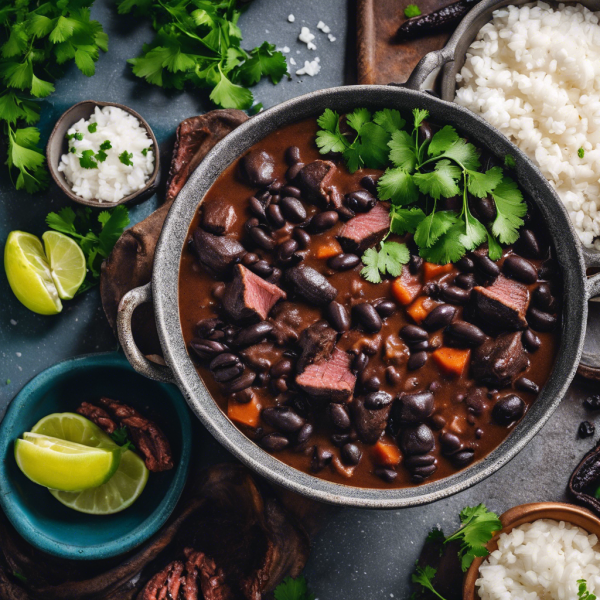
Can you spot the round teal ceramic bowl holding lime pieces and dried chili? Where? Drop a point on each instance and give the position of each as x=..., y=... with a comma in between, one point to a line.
x=46, y=523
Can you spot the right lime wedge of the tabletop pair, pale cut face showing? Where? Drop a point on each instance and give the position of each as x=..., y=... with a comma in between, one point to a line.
x=67, y=263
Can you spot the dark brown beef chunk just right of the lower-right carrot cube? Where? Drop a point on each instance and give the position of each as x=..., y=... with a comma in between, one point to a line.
x=498, y=360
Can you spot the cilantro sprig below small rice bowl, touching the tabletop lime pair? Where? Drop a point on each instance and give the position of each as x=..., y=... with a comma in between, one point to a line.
x=96, y=237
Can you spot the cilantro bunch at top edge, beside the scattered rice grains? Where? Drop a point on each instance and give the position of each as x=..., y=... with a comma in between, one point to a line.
x=197, y=43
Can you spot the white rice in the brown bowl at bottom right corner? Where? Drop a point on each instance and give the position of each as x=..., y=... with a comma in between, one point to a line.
x=542, y=560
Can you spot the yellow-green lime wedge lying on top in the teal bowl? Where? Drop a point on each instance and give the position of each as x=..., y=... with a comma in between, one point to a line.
x=63, y=465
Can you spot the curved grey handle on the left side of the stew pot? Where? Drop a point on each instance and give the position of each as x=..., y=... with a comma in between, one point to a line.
x=130, y=301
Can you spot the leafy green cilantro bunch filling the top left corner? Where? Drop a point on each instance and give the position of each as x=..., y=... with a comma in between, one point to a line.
x=36, y=40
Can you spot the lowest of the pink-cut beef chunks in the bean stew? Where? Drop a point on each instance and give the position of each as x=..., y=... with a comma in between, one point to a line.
x=329, y=379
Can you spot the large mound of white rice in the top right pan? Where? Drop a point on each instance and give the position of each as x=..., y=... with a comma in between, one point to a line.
x=534, y=73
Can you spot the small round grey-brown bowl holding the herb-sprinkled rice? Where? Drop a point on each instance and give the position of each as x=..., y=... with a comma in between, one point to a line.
x=58, y=145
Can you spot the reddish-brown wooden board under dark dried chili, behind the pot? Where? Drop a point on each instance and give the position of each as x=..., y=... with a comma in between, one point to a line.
x=382, y=60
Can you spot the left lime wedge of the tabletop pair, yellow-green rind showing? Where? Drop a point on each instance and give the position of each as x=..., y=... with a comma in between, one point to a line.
x=29, y=275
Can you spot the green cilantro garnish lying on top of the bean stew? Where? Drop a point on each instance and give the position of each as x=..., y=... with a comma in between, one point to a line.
x=420, y=172
